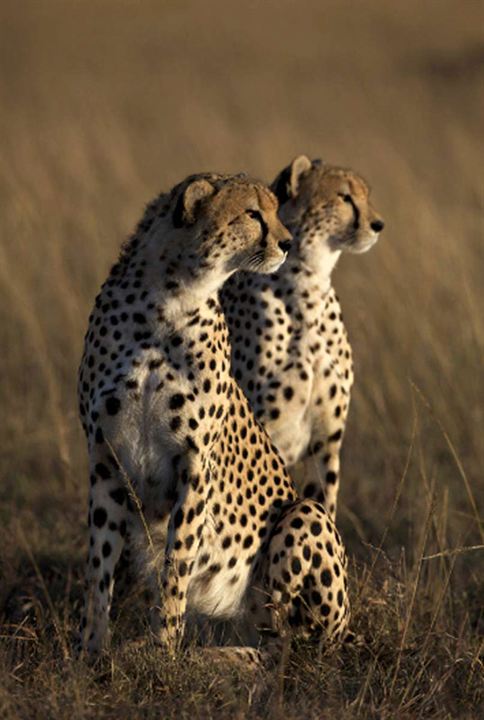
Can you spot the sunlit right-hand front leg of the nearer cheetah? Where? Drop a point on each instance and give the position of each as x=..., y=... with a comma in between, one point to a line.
x=184, y=533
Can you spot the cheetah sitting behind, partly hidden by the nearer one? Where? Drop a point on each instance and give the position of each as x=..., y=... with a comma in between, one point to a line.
x=290, y=351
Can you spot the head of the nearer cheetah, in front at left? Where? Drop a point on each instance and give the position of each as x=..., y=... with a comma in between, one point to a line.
x=229, y=223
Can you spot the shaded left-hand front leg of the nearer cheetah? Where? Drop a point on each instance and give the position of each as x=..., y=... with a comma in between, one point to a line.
x=108, y=517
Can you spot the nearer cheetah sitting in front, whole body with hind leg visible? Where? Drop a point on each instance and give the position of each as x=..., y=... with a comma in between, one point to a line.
x=164, y=416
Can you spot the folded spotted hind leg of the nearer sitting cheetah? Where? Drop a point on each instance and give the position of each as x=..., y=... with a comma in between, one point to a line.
x=302, y=588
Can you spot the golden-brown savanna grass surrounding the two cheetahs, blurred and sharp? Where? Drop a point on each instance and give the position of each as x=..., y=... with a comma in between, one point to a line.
x=104, y=103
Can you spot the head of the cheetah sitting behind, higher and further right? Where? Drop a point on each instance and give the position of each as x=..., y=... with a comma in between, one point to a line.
x=320, y=202
